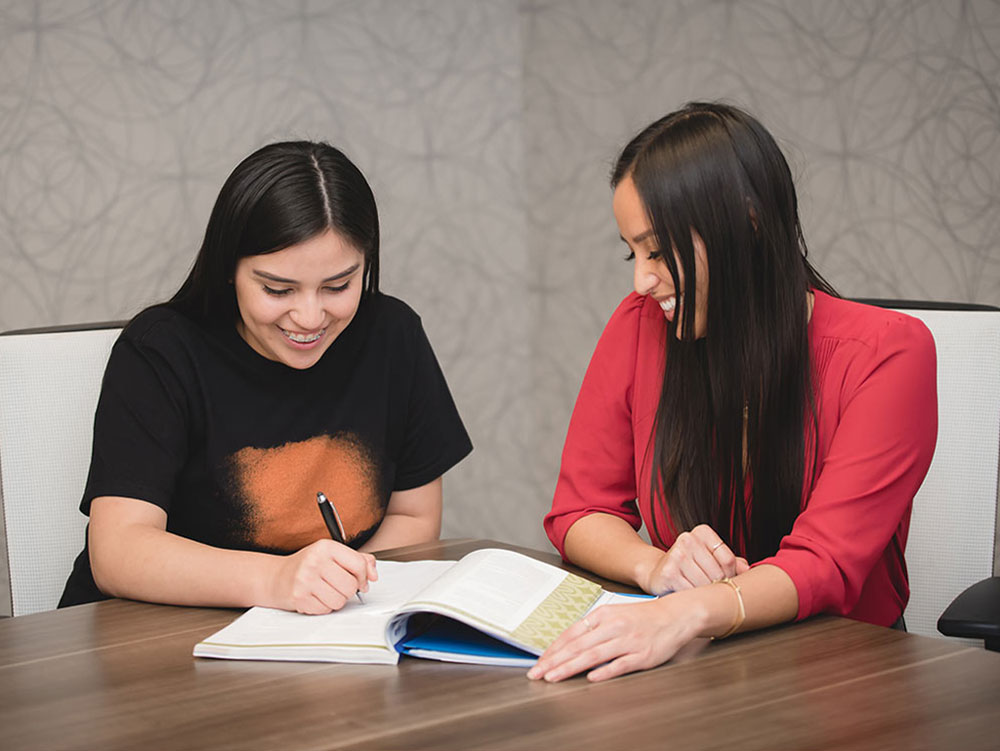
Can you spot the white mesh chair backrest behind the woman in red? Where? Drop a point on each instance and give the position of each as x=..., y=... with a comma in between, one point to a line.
x=952, y=541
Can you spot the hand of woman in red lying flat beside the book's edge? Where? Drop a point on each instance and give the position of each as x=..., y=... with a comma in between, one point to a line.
x=620, y=639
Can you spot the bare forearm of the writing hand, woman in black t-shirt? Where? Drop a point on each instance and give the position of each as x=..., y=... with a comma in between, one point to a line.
x=144, y=563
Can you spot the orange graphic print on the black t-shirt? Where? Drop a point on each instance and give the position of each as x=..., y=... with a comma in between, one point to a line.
x=279, y=486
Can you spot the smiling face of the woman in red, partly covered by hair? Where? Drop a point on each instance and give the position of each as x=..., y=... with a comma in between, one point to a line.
x=652, y=277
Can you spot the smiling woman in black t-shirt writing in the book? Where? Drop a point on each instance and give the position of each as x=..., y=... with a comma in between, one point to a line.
x=278, y=371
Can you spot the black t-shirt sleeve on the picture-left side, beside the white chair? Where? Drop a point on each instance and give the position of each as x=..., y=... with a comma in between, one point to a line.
x=140, y=427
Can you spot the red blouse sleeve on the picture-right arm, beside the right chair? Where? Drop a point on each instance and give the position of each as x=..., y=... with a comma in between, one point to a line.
x=879, y=453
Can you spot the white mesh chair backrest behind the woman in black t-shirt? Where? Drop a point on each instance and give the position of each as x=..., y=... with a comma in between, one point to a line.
x=50, y=380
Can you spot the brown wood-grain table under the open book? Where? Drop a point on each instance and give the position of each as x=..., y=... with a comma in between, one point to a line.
x=120, y=675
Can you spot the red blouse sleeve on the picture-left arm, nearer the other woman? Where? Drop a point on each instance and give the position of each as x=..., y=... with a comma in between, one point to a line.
x=597, y=473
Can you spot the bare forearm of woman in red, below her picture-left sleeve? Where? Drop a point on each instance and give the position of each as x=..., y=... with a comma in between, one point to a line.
x=608, y=546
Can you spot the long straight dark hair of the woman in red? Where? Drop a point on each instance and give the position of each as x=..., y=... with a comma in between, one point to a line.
x=715, y=170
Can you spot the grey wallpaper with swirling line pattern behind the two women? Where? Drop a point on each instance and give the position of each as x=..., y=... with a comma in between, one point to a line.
x=487, y=128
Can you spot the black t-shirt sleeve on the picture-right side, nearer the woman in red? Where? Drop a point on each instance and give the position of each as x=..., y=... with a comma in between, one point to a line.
x=434, y=438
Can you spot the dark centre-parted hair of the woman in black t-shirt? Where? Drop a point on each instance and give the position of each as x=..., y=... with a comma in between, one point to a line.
x=282, y=194
